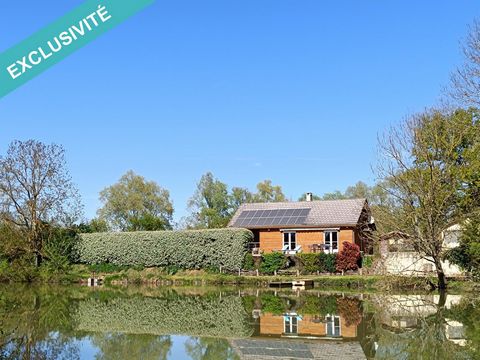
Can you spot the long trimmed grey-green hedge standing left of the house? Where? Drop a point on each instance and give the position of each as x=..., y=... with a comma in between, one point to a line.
x=191, y=249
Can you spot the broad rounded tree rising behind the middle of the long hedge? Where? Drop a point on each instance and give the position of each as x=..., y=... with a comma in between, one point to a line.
x=135, y=204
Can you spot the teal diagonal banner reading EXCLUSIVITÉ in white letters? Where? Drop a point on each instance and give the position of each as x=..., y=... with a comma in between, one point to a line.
x=42, y=50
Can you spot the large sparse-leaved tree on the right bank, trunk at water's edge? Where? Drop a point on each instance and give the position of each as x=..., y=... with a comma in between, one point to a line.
x=427, y=163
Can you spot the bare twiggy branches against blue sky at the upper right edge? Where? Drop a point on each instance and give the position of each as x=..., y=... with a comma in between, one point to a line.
x=466, y=79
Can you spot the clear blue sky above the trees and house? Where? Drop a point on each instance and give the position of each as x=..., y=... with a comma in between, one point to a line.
x=294, y=91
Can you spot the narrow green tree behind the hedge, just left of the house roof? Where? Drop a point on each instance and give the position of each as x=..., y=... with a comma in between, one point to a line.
x=210, y=205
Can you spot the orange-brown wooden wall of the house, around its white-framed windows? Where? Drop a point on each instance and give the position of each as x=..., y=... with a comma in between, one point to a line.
x=272, y=240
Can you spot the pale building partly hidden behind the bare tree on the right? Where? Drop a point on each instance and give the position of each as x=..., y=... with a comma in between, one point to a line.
x=399, y=257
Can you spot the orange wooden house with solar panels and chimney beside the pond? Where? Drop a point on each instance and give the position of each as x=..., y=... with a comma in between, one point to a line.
x=306, y=226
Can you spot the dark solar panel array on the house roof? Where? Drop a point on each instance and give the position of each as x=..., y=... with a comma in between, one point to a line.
x=283, y=217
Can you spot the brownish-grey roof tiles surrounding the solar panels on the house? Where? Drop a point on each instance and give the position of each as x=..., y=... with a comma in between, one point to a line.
x=323, y=213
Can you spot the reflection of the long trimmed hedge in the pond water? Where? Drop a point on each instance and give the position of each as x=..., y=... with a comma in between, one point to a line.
x=195, y=316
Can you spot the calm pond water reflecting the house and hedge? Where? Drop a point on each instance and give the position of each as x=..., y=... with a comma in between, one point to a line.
x=222, y=323
